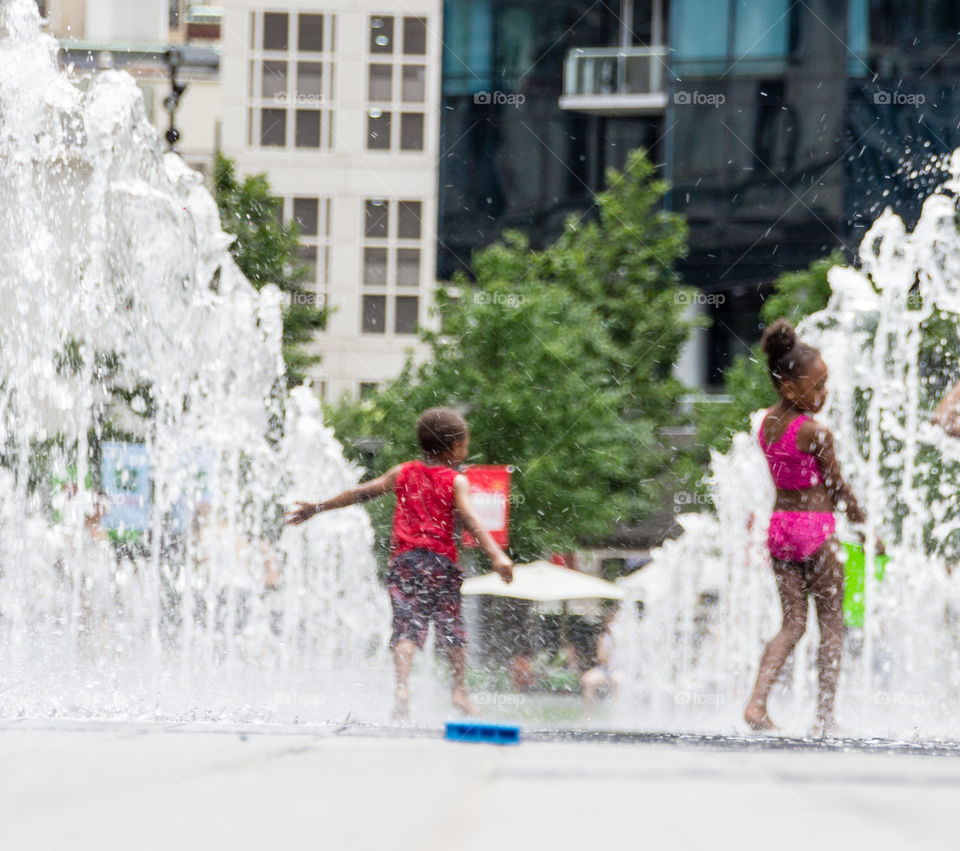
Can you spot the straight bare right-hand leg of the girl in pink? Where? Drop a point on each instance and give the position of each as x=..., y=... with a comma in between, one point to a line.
x=827, y=591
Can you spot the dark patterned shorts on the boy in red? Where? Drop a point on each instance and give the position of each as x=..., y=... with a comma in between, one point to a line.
x=425, y=586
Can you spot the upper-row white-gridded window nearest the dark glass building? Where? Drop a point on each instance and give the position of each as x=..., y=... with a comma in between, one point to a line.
x=396, y=84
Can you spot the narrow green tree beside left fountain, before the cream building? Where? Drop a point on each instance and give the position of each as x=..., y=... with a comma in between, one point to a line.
x=265, y=249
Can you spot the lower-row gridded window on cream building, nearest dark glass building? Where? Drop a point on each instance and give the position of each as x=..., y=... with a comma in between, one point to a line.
x=392, y=265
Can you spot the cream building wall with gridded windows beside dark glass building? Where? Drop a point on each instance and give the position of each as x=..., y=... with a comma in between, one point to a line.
x=343, y=172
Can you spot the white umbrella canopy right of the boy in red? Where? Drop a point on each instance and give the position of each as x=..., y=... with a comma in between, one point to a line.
x=543, y=582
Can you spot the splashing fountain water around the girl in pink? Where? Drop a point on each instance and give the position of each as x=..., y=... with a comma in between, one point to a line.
x=889, y=337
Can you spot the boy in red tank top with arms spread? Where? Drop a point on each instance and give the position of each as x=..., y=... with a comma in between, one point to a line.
x=424, y=577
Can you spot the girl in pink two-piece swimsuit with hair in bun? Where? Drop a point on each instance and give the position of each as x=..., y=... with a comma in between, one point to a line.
x=801, y=458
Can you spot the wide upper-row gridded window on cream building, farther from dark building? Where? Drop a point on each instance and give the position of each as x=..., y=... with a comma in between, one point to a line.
x=290, y=87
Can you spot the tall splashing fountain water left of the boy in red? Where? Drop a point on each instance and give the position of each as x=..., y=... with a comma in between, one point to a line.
x=122, y=316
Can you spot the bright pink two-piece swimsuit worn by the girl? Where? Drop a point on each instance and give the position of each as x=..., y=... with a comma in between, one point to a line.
x=794, y=535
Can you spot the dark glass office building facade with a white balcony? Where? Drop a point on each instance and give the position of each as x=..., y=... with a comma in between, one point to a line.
x=784, y=128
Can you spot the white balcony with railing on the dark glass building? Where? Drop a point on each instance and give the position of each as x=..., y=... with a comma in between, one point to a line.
x=615, y=80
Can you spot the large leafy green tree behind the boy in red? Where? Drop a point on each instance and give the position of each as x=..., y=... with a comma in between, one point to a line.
x=561, y=358
